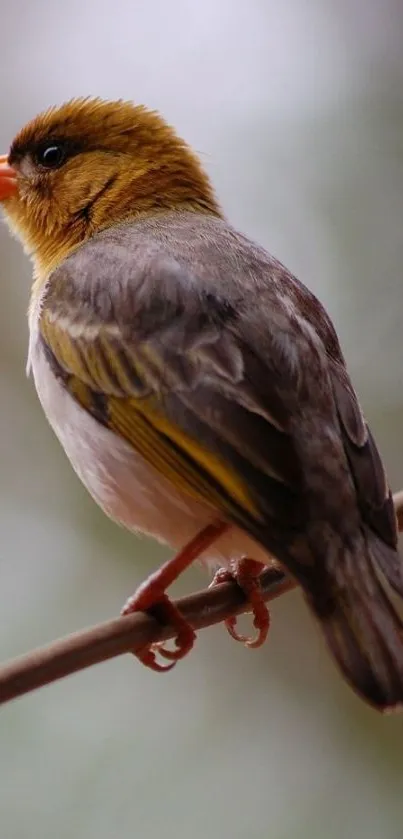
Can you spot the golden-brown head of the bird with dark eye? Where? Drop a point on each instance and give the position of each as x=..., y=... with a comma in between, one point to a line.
x=89, y=164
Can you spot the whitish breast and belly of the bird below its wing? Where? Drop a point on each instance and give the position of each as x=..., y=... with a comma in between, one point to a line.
x=120, y=480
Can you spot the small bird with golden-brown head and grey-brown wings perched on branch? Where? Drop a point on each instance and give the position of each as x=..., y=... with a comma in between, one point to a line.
x=198, y=389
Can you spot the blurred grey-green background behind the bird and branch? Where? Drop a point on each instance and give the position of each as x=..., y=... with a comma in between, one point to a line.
x=296, y=109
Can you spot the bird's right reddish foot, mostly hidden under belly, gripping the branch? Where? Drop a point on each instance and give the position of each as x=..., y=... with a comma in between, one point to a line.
x=246, y=572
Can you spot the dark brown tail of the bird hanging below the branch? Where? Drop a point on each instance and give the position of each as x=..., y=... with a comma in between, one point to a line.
x=361, y=625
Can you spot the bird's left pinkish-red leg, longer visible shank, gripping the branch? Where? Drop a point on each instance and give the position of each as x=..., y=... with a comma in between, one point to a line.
x=151, y=597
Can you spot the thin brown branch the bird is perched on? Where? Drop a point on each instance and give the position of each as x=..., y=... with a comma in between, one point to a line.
x=122, y=635
